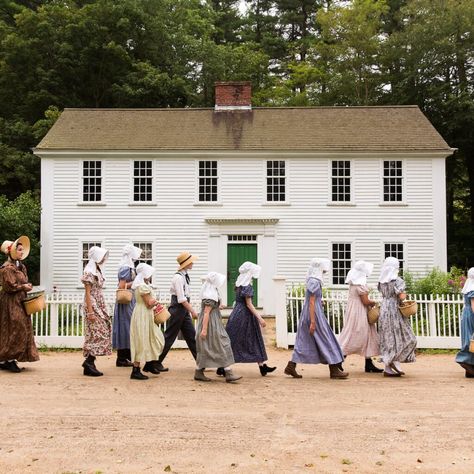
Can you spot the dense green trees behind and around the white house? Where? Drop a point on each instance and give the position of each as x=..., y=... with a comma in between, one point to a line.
x=168, y=53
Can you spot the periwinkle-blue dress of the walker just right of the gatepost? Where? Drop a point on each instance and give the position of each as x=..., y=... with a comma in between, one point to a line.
x=322, y=346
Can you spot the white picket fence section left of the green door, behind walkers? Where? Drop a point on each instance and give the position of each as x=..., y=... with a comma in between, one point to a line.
x=61, y=323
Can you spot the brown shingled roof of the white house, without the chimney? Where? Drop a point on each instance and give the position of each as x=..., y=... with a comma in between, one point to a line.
x=391, y=128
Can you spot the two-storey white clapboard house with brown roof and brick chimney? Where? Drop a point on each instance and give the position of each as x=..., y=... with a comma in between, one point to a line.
x=277, y=186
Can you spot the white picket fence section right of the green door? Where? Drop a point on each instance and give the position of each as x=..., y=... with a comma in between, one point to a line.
x=436, y=323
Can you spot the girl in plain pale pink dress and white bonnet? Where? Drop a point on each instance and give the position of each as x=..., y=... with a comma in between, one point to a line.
x=358, y=336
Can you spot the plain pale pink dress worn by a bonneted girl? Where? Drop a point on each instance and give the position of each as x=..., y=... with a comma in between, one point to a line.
x=357, y=335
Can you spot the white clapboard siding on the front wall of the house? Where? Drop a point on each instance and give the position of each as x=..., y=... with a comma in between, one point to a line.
x=307, y=223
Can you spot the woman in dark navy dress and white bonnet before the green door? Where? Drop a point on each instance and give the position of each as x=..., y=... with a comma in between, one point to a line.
x=245, y=323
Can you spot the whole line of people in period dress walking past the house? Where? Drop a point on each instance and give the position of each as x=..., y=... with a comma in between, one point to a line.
x=139, y=340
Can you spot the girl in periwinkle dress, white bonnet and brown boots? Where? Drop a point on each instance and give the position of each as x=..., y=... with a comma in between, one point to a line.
x=315, y=342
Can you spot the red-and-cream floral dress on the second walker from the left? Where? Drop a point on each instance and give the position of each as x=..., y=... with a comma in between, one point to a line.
x=98, y=333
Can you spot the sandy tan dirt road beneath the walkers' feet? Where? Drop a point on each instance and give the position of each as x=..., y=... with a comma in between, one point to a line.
x=55, y=420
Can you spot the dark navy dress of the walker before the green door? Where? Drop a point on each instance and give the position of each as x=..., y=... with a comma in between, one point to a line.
x=244, y=330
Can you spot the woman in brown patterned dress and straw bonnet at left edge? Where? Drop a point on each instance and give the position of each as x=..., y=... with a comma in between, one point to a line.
x=17, y=342
